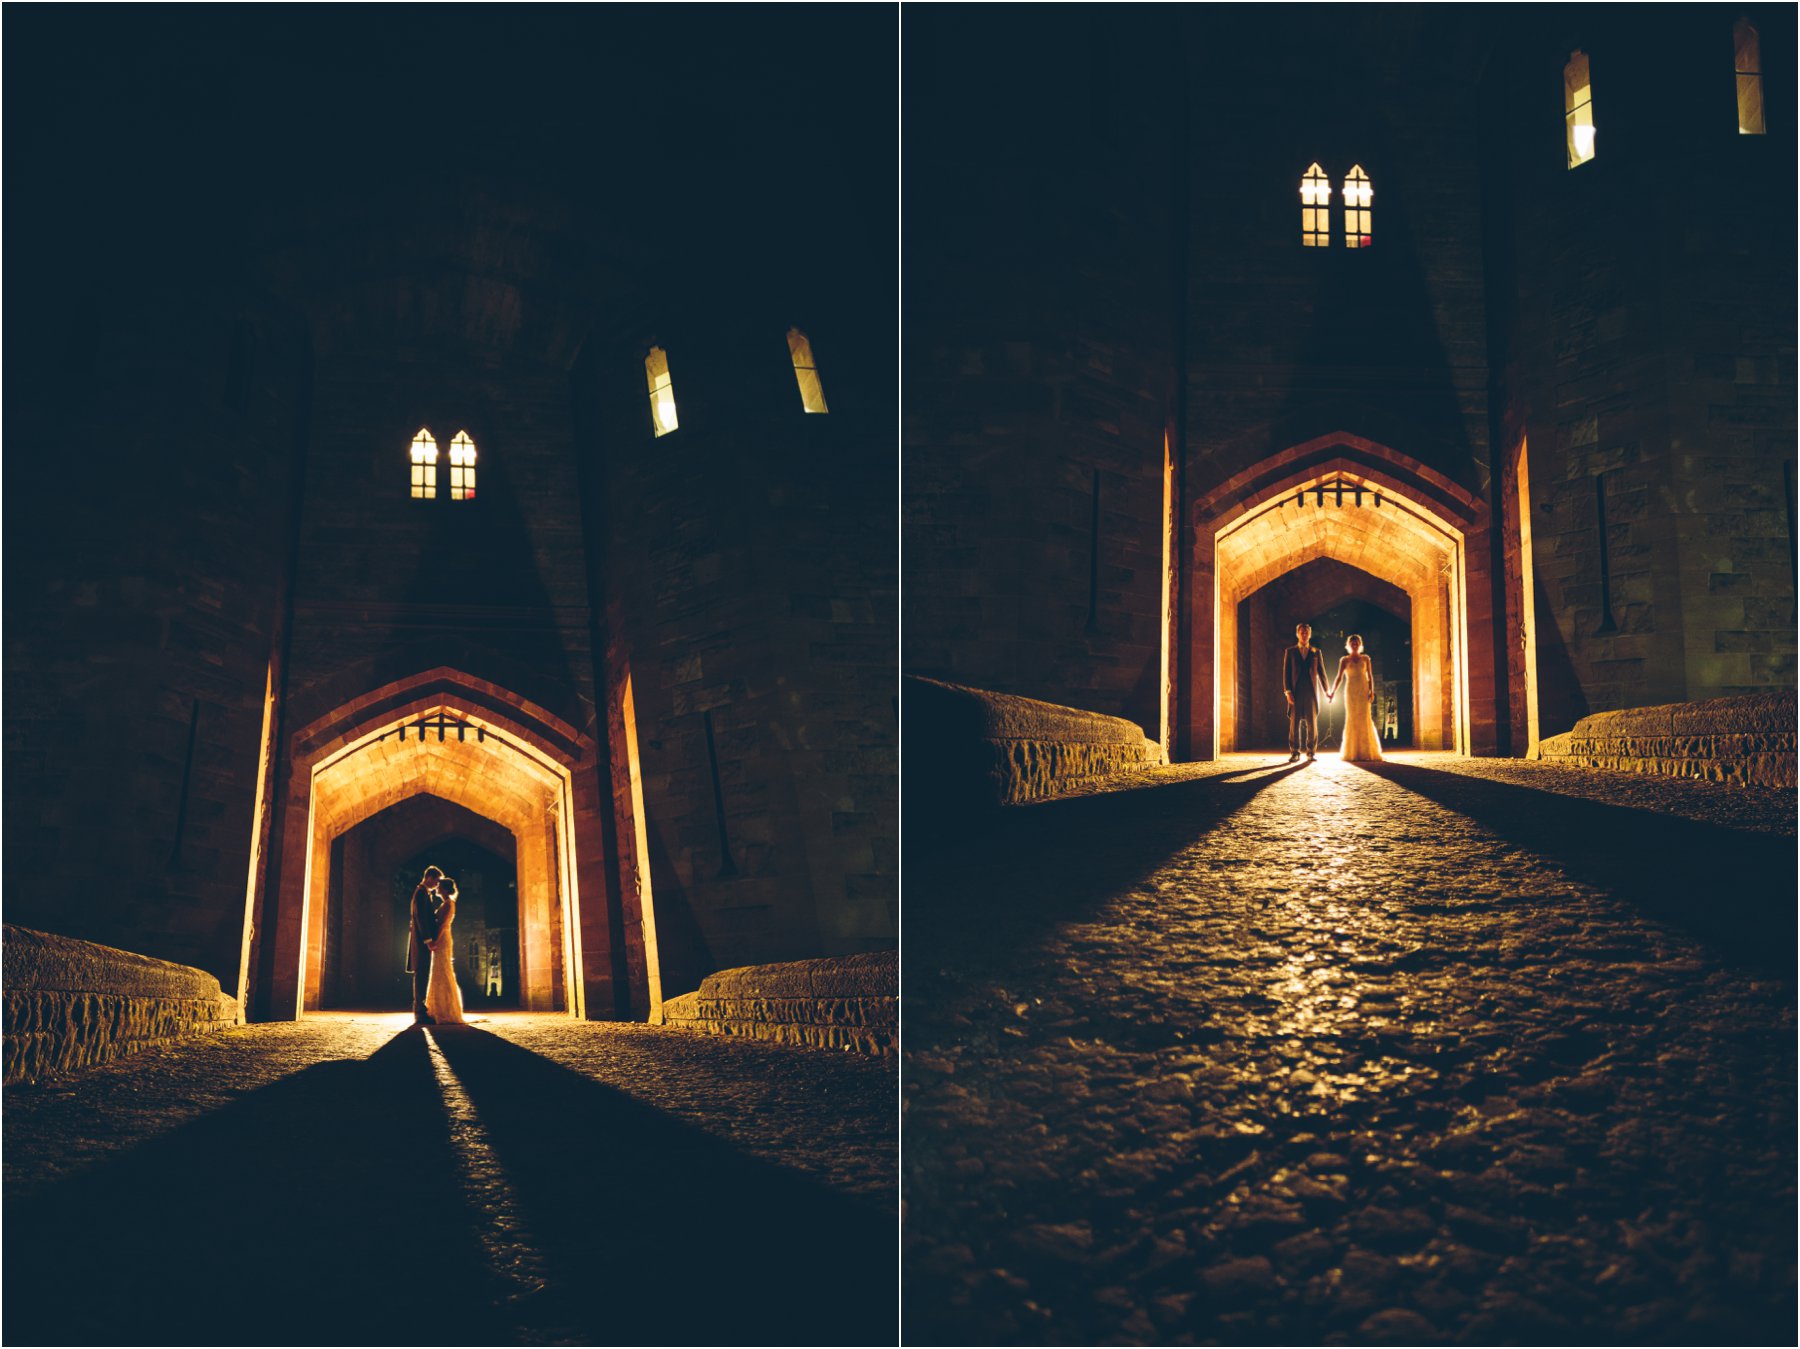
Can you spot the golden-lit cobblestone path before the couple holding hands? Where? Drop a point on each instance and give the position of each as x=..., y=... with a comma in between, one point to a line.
x=1439, y=1051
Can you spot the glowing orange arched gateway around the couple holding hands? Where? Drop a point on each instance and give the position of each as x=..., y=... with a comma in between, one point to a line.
x=1347, y=516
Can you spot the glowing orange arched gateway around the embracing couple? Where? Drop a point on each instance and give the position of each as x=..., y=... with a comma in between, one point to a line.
x=478, y=747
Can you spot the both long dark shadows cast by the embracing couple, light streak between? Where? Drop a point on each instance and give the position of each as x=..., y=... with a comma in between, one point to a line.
x=332, y=1209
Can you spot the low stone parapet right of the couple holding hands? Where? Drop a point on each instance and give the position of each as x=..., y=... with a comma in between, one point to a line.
x=1745, y=741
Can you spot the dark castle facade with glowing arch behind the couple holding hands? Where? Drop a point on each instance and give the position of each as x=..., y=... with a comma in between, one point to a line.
x=1475, y=327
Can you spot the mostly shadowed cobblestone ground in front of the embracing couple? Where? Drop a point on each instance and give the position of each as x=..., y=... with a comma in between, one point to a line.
x=523, y=1181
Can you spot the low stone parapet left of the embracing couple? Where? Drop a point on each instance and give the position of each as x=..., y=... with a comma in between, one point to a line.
x=73, y=1004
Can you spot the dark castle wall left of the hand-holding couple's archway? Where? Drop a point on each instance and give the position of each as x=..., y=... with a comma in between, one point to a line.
x=1039, y=365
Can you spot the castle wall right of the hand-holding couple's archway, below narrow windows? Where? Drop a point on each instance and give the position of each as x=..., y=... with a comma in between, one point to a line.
x=1644, y=318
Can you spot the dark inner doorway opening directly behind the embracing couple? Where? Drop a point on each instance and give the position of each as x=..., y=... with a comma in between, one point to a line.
x=373, y=871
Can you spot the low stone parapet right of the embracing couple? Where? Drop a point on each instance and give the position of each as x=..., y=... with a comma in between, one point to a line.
x=840, y=1004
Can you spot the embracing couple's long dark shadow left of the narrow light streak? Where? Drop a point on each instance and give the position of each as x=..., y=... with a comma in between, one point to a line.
x=321, y=1209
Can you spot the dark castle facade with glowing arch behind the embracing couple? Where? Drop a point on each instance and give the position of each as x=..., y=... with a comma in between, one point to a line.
x=438, y=433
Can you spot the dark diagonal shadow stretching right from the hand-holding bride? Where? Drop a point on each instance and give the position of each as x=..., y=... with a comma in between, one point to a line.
x=1729, y=887
